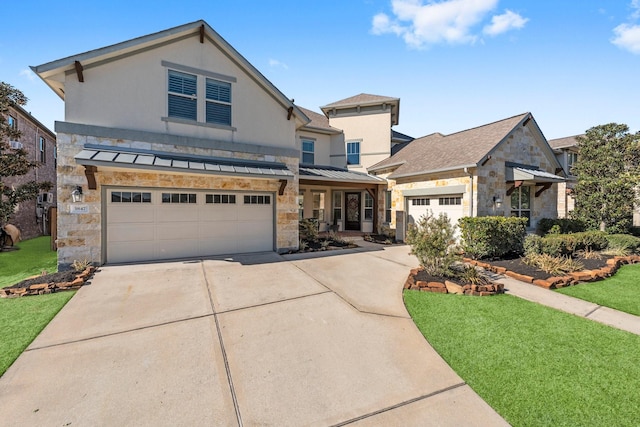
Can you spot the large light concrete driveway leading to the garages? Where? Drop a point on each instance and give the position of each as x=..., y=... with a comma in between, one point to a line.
x=255, y=340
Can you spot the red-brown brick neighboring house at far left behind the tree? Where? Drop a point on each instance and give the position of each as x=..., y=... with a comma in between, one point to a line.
x=40, y=144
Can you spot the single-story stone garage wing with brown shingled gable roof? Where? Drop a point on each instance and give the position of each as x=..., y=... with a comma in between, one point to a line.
x=502, y=168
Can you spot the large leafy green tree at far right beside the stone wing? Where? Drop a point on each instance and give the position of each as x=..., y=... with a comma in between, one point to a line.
x=607, y=171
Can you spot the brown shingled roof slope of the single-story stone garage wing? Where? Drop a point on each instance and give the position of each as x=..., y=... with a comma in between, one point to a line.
x=437, y=152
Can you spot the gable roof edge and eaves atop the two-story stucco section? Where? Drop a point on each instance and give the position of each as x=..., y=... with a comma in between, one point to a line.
x=53, y=73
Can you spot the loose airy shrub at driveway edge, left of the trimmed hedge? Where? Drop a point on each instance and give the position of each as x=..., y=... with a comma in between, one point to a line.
x=433, y=242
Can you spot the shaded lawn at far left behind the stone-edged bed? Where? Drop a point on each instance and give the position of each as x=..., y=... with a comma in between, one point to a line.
x=34, y=256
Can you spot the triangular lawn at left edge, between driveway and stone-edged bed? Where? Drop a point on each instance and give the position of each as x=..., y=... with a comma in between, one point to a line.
x=22, y=319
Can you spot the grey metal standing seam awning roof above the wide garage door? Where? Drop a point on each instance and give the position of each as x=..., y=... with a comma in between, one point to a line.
x=169, y=161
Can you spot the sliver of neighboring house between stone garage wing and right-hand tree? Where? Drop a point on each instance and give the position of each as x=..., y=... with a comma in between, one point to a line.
x=566, y=150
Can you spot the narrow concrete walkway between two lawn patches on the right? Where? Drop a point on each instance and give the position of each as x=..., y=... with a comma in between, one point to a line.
x=608, y=316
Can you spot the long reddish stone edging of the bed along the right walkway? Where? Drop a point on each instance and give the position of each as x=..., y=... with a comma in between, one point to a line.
x=556, y=282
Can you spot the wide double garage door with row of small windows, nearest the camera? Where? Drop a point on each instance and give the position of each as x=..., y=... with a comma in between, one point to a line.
x=147, y=225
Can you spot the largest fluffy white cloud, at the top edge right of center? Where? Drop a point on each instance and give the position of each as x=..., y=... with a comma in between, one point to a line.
x=447, y=21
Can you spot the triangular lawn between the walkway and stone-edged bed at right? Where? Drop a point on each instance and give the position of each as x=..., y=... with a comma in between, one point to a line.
x=620, y=292
